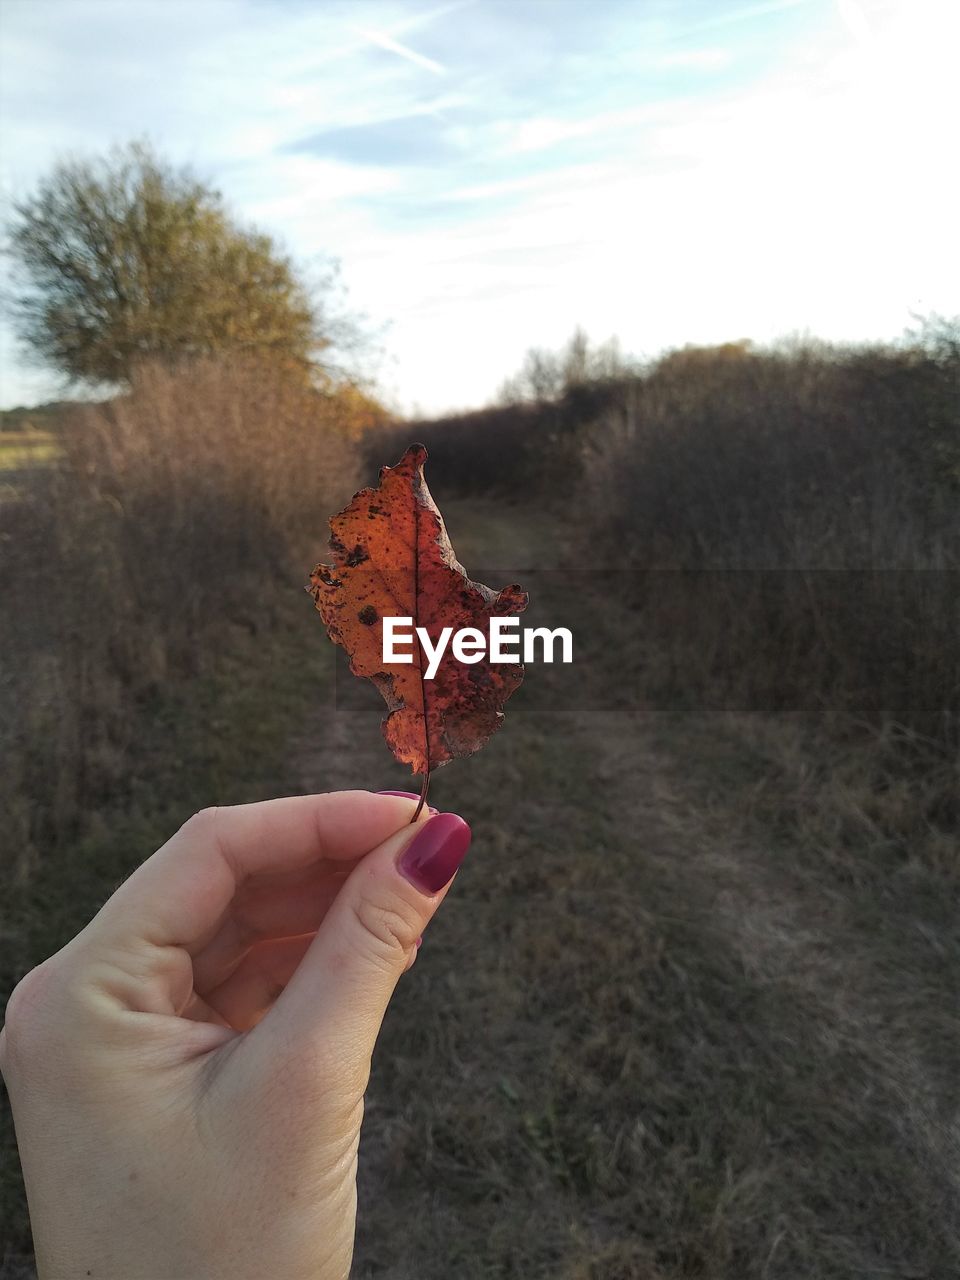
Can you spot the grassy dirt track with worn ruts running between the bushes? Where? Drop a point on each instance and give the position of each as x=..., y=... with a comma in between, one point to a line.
x=648, y=1036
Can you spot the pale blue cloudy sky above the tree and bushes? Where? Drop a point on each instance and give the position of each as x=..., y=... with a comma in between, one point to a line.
x=493, y=173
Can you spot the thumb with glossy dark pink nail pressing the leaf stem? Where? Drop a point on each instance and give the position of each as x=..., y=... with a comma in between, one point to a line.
x=337, y=999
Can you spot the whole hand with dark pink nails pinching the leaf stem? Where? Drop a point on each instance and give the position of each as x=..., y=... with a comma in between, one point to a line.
x=188, y=1075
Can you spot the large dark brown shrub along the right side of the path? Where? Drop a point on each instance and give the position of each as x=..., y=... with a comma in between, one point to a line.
x=794, y=531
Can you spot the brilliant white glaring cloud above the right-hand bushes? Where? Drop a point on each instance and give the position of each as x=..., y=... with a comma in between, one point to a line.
x=821, y=204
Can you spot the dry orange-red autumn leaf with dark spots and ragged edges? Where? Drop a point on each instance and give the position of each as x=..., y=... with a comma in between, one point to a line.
x=391, y=557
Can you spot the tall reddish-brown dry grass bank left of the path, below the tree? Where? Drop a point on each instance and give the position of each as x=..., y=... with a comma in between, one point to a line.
x=157, y=637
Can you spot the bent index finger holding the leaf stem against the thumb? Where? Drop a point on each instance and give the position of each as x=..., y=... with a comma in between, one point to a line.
x=182, y=893
